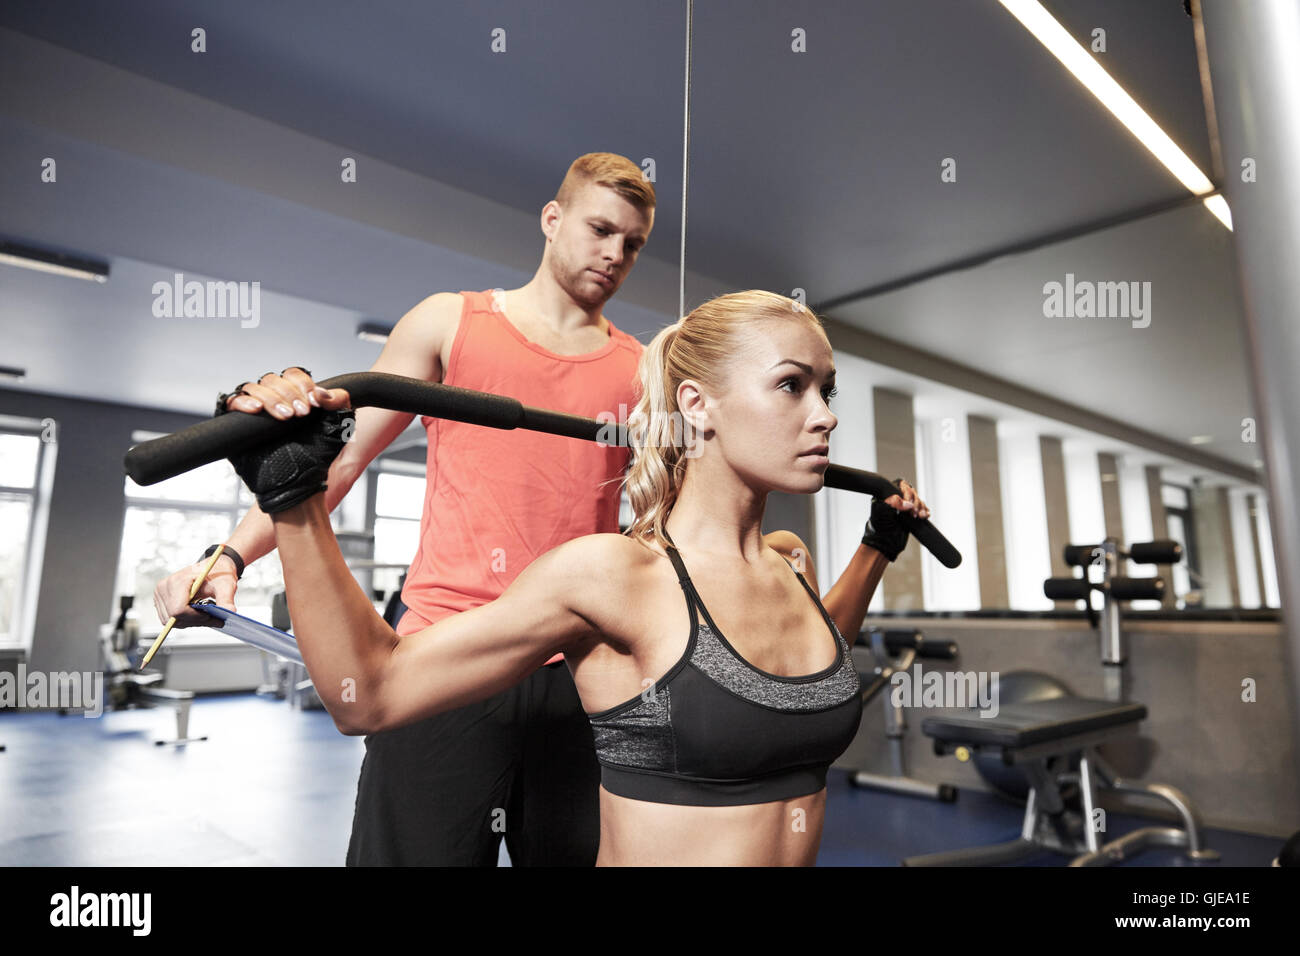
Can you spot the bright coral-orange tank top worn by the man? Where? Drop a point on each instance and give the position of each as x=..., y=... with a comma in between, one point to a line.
x=496, y=500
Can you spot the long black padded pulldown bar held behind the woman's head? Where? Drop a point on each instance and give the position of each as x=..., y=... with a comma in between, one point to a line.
x=209, y=442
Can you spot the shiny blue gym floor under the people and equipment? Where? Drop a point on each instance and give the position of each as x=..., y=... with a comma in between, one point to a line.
x=275, y=788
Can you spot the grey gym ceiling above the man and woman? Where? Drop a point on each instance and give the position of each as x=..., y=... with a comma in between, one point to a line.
x=816, y=171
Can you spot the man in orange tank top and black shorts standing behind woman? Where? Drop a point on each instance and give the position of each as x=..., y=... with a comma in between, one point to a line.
x=519, y=765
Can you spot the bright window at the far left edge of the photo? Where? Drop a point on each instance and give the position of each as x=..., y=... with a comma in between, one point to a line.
x=27, y=475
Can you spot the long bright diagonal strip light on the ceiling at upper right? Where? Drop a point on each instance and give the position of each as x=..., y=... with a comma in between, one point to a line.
x=1115, y=98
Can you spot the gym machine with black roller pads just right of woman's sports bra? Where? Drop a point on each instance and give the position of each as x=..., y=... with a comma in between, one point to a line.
x=895, y=654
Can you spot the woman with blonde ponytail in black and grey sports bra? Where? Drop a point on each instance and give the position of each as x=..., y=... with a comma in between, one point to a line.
x=718, y=685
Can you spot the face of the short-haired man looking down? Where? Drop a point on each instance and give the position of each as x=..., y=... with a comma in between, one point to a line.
x=595, y=243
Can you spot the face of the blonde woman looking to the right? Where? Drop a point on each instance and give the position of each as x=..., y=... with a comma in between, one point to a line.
x=772, y=421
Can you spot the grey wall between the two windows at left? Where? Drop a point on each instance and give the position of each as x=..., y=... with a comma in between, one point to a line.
x=86, y=513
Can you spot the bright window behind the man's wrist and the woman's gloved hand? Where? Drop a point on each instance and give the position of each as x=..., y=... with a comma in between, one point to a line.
x=170, y=525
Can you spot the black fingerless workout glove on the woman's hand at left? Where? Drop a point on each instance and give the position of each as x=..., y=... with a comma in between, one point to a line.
x=293, y=468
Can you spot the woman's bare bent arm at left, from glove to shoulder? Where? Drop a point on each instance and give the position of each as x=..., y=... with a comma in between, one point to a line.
x=372, y=681
